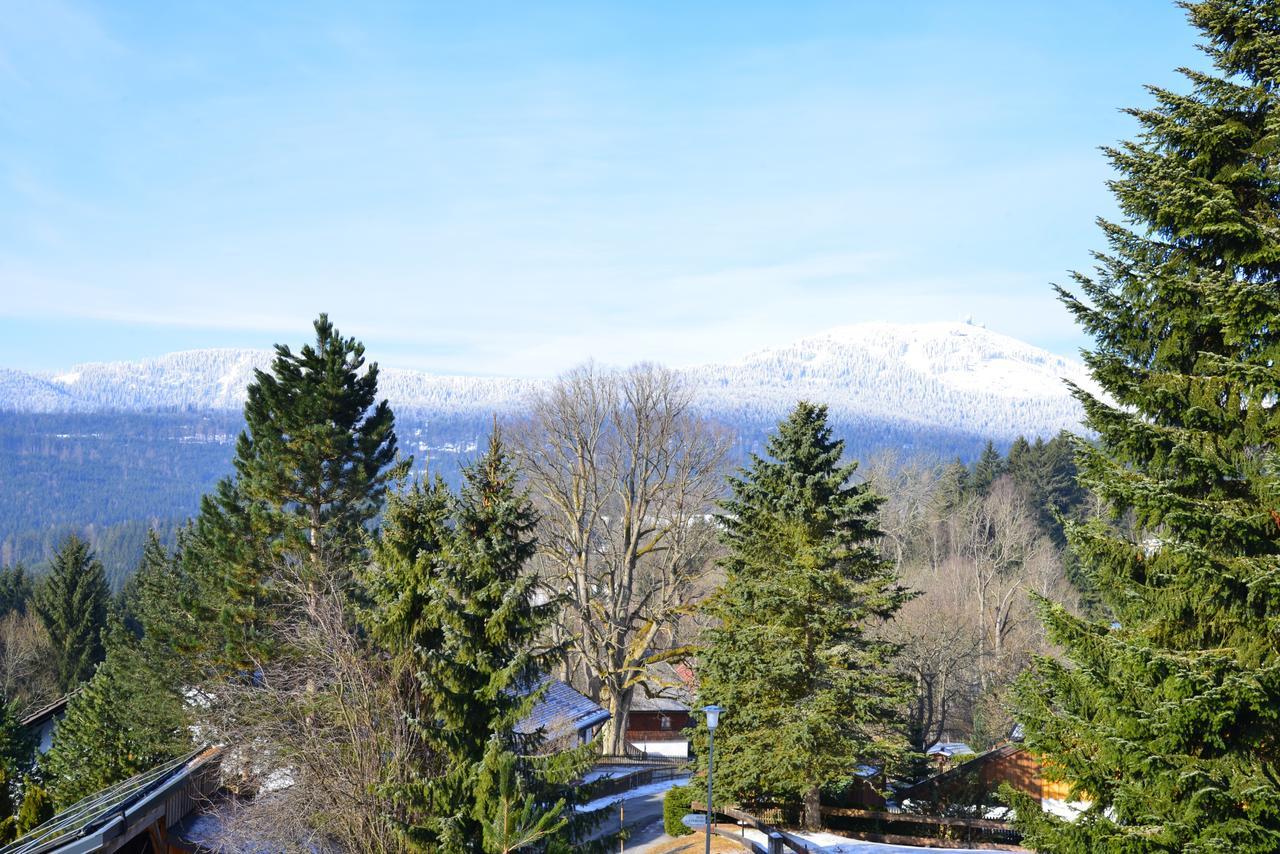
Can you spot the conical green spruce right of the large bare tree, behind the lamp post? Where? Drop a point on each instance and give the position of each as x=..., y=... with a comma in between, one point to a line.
x=808, y=689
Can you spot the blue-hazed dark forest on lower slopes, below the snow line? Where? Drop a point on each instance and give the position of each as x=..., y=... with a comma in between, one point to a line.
x=112, y=477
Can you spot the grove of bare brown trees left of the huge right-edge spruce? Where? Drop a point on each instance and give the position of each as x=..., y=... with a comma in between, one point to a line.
x=976, y=559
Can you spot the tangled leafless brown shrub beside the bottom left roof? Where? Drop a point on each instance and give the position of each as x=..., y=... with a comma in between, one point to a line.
x=314, y=737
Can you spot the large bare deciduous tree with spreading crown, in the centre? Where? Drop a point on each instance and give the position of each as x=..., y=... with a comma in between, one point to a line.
x=625, y=476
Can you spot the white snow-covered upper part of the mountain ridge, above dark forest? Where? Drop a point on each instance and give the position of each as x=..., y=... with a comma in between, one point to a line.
x=947, y=376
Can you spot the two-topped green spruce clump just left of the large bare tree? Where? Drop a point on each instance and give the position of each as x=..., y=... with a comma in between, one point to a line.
x=455, y=602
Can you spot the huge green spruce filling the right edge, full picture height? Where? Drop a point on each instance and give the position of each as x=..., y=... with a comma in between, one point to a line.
x=1165, y=716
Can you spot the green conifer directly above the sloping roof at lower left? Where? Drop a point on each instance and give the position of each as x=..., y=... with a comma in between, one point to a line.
x=126, y=720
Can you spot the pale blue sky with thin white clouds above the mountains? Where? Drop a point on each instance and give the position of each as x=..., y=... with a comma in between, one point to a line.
x=516, y=188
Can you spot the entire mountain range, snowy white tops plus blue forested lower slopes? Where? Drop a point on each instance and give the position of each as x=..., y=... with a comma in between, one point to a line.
x=111, y=450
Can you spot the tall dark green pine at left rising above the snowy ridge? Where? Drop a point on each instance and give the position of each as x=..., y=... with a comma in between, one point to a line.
x=312, y=473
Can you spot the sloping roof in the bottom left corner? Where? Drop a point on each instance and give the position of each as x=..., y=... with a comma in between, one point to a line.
x=95, y=823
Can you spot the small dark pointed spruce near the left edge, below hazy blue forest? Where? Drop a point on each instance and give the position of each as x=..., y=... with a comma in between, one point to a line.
x=72, y=602
